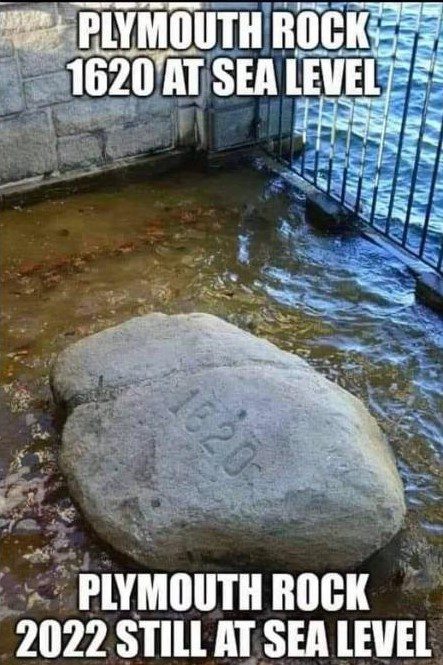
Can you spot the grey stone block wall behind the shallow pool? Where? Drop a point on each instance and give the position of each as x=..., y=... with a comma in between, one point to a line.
x=46, y=134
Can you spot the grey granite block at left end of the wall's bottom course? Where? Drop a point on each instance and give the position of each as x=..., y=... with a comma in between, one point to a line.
x=34, y=131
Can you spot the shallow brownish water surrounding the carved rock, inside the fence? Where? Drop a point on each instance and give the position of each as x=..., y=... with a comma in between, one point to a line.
x=233, y=243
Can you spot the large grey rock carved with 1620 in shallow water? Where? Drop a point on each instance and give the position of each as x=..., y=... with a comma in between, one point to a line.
x=192, y=444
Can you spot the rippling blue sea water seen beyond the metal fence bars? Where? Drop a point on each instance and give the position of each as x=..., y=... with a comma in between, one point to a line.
x=355, y=116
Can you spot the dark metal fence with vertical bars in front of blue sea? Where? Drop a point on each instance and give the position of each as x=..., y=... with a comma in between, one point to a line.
x=380, y=157
